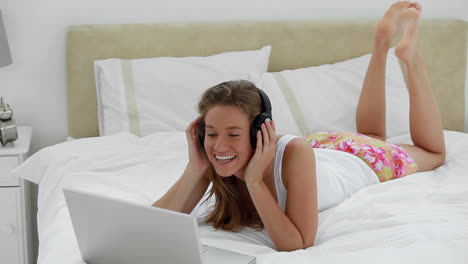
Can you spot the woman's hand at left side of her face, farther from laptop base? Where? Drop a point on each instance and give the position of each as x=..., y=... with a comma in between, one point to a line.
x=197, y=155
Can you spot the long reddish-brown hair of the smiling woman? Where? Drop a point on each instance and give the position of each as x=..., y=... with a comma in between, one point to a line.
x=231, y=210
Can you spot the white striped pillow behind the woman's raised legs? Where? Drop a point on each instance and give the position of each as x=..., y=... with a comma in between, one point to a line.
x=324, y=98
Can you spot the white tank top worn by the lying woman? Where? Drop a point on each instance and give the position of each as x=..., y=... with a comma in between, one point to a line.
x=338, y=174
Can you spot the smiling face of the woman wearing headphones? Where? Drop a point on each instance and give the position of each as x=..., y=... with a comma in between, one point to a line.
x=227, y=140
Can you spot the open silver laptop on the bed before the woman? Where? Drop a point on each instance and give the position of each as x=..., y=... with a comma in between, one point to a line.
x=120, y=232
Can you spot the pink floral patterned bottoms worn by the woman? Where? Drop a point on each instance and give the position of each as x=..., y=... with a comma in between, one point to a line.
x=387, y=160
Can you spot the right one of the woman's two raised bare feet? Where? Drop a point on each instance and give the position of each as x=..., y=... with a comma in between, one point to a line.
x=406, y=48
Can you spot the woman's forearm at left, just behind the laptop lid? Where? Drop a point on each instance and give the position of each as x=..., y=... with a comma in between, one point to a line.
x=185, y=194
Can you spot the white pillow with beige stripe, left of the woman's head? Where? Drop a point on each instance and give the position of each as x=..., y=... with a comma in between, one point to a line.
x=143, y=96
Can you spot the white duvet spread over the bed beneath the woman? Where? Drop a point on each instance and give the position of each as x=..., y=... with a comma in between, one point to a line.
x=422, y=218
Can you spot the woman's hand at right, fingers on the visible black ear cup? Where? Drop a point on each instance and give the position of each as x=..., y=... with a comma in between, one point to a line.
x=264, y=153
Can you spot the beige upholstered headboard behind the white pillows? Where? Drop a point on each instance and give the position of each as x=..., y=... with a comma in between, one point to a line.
x=295, y=44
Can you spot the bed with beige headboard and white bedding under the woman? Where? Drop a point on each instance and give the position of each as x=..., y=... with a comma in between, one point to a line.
x=421, y=218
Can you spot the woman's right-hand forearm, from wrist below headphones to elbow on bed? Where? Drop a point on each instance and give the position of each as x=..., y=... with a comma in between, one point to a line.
x=282, y=231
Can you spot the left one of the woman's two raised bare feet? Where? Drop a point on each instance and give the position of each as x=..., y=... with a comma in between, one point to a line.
x=391, y=22
